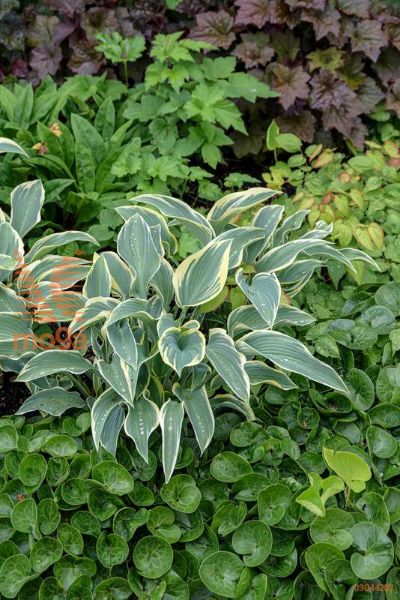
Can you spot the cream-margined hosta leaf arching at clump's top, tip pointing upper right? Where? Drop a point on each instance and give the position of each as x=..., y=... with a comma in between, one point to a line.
x=233, y=204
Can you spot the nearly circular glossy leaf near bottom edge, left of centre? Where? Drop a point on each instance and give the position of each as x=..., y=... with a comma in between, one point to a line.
x=152, y=557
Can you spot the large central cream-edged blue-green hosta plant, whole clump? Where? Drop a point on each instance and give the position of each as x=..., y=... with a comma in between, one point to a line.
x=168, y=338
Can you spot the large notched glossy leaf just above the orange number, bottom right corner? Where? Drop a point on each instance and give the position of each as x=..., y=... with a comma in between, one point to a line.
x=373, y=554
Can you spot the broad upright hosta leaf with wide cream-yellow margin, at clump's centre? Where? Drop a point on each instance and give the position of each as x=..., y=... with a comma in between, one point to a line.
x=201, y=276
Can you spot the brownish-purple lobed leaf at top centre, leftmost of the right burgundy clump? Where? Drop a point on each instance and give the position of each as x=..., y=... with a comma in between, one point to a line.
x=215, y=28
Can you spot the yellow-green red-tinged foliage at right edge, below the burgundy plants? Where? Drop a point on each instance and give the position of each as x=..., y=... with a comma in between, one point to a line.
x=358, y=195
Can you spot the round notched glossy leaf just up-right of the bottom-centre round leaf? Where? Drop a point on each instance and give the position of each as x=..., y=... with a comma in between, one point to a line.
x=252, y=539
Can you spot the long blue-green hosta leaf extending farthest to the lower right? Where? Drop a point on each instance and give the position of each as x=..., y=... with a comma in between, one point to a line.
x=291, y=355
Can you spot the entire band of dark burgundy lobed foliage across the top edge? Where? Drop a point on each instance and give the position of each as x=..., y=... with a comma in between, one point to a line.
x=333, y=61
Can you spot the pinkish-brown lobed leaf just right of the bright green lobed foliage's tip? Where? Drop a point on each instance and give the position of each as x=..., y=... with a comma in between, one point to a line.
x=290, y=82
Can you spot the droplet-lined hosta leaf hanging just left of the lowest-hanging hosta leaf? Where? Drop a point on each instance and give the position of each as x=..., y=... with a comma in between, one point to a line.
x=142, y=419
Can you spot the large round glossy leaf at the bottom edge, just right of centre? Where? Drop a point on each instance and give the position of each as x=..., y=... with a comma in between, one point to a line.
x=220, y=572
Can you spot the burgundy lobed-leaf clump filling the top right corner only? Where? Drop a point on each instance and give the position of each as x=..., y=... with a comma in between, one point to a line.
x=333, y=62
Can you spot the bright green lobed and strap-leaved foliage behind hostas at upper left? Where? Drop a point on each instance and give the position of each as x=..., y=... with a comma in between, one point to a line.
x=93, y=140
